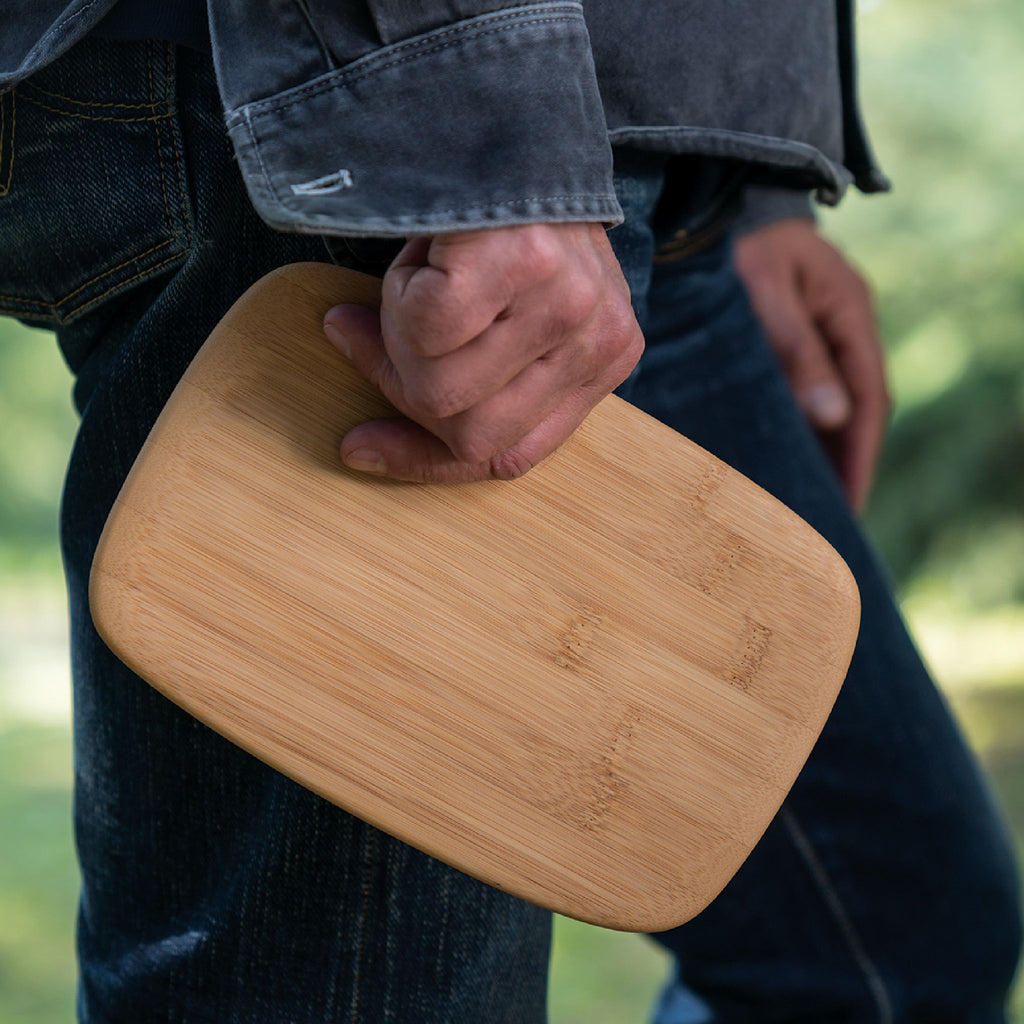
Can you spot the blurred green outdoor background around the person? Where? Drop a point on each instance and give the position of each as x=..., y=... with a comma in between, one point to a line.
x=943, y=88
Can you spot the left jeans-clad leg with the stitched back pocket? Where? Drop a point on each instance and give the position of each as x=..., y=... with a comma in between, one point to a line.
x=214, y=889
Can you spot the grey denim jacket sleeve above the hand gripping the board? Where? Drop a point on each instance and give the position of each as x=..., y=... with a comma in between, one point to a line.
x=401, y=117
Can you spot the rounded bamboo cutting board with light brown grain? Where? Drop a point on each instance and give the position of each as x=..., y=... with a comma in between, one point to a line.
x=591, y=688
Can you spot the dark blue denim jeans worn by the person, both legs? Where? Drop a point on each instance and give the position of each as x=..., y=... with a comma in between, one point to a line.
x=216, y=891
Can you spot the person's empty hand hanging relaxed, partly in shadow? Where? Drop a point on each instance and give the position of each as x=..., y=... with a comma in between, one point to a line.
x=819, y=316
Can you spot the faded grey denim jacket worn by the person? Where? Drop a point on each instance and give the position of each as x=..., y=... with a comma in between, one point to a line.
x=400, y=117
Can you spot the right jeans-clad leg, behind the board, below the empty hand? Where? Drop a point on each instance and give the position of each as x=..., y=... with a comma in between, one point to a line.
x=886, y=889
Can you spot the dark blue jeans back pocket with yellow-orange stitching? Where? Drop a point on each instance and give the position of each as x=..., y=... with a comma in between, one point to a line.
x=94, y=196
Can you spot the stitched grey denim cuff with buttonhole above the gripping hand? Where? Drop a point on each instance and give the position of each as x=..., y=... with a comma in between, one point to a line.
x=492, y=121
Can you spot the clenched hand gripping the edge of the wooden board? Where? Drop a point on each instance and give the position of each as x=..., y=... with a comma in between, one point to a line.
x=496, y=345
